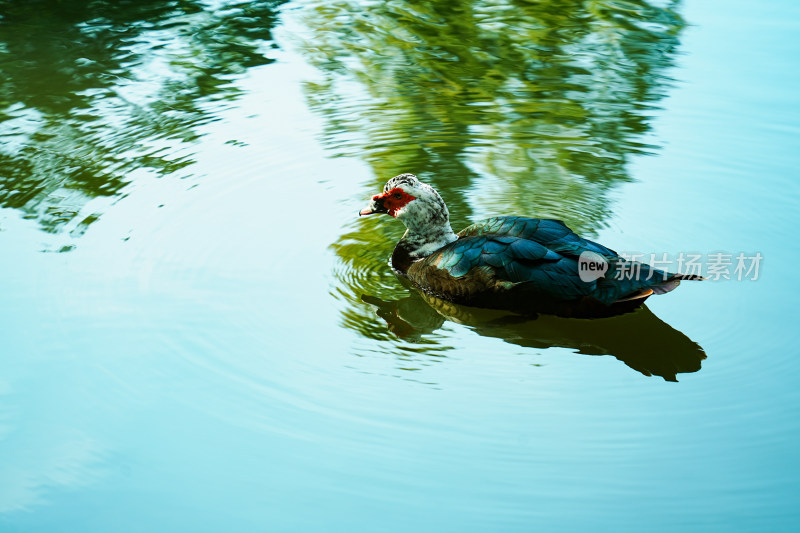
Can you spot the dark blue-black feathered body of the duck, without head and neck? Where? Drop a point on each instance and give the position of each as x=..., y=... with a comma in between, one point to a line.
x=530, y=265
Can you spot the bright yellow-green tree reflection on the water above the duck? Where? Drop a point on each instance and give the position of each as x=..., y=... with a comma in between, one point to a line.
x=552, y=98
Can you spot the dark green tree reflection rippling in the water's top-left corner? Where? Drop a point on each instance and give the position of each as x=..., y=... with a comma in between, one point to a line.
x=94, y=93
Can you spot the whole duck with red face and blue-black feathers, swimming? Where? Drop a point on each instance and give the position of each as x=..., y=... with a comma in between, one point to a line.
x=519, y=264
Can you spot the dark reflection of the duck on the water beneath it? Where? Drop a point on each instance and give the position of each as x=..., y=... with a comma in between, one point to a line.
x=639, y=339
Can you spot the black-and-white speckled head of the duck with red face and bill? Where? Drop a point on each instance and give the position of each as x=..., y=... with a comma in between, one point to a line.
x=404, y=197
